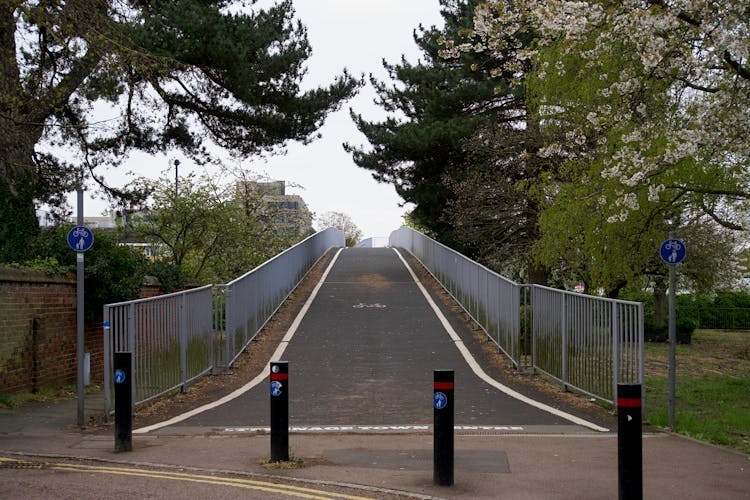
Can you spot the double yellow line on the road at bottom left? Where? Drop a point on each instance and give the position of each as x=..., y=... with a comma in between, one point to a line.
x=249, y=484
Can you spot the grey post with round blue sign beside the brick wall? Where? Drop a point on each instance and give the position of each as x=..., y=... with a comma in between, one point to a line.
x=80, y=239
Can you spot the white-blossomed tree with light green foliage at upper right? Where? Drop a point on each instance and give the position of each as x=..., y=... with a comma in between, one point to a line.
x=654, y=93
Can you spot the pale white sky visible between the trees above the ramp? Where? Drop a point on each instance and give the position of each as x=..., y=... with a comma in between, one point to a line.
x=352, y=34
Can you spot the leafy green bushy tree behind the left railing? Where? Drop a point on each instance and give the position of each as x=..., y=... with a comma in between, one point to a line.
x=211, y=233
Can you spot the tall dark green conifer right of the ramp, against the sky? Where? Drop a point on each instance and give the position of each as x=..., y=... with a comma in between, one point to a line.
x=434, y=105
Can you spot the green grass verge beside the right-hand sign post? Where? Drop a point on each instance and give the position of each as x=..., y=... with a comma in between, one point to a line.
x=712, y=388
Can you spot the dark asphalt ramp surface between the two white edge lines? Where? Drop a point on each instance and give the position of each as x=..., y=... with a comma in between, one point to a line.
x=365, y=353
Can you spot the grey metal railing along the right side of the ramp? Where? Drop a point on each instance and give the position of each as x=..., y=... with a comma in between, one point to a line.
x=587, y=343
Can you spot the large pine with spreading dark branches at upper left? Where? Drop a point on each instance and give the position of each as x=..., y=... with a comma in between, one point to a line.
x=182, y=75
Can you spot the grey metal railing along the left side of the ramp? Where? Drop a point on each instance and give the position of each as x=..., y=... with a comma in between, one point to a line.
x=178, y=337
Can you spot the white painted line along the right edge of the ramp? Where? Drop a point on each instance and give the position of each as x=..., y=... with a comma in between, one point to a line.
x=479, y=372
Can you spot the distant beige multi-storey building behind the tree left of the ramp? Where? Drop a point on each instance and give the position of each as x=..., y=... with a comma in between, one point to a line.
x=288, y=213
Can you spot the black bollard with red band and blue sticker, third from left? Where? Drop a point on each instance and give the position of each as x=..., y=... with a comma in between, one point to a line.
x=443, y=423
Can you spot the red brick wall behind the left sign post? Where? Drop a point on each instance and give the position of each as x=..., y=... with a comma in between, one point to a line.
x=38, y=332
